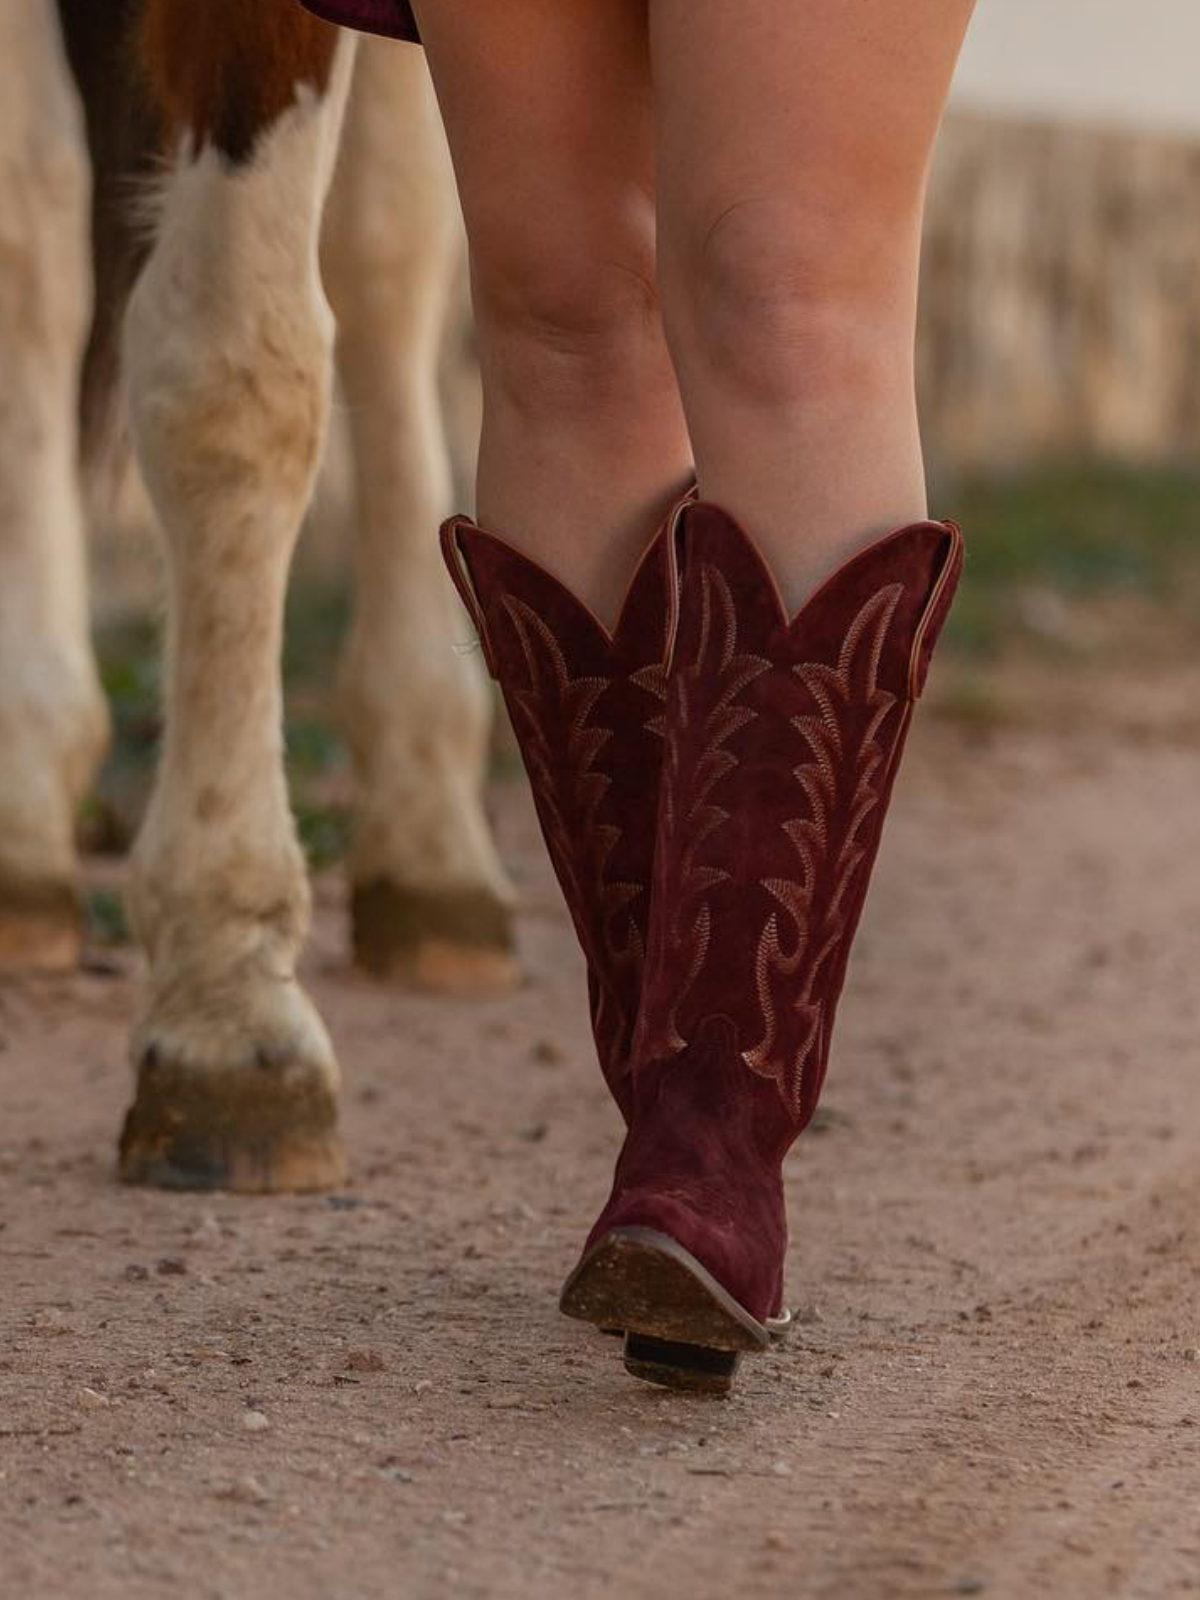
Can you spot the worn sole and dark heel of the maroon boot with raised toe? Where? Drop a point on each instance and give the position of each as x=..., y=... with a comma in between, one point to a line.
x=682, y=1329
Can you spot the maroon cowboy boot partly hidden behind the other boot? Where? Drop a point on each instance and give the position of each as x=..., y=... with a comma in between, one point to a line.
x=588, y=713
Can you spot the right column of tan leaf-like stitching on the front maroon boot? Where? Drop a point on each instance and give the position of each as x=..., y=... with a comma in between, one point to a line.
x=790, y=1044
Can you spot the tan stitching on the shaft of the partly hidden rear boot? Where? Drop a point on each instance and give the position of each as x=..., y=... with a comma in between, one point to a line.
x=586, y=742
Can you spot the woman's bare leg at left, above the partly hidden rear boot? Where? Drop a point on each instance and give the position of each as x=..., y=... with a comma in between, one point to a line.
x=548, y=108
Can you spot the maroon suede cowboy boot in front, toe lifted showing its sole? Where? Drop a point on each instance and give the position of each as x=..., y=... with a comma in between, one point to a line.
x=782, y=748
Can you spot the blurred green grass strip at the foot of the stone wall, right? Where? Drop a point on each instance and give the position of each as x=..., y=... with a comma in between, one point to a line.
x=1078, y=534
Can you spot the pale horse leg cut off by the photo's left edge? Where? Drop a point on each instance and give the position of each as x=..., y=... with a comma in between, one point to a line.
x=54, y=724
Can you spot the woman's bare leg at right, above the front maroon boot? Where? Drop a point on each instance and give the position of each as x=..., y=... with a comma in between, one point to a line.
x=794, y=142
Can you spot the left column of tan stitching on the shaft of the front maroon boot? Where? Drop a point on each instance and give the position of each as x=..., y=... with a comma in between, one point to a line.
x=690, y=817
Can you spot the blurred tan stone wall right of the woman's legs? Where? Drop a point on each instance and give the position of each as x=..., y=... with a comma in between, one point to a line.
x=1062, y=295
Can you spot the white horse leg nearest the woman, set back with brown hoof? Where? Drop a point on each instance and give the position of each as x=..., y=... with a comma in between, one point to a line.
x=430, y=898
